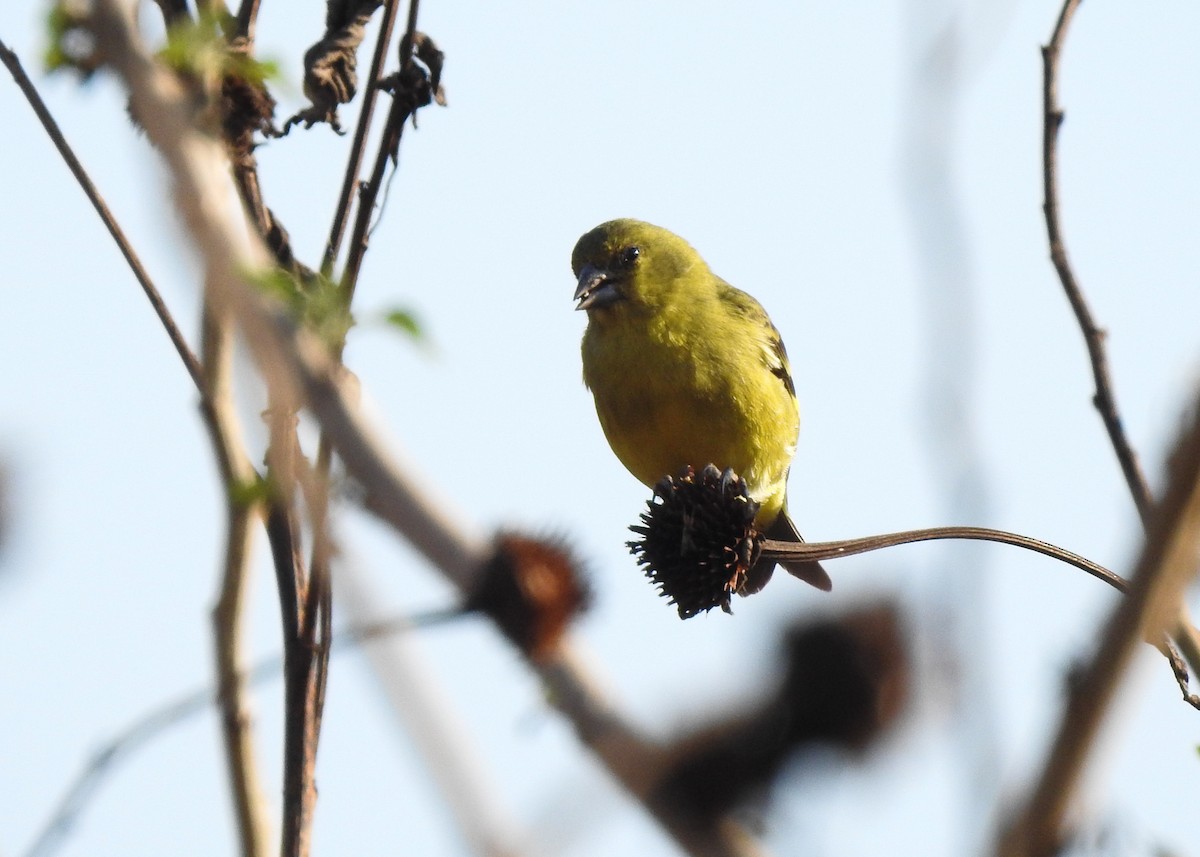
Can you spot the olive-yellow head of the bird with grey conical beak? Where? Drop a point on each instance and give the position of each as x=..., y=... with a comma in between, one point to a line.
x=633, y=263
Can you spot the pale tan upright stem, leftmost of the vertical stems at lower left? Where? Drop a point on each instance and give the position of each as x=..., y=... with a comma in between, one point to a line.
x=237, y=475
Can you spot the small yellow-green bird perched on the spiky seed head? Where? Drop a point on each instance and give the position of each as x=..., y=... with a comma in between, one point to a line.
x=687, y=370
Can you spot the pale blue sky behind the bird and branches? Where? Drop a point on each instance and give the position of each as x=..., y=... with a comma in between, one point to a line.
x=871, y=172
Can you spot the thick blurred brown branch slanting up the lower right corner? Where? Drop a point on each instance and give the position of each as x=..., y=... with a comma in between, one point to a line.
x=1167, y=566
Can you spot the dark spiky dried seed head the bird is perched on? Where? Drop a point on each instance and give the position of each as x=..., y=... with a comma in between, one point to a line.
x=698, y=540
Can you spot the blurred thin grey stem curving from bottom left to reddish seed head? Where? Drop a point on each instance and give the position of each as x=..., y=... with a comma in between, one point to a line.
x=173, y=714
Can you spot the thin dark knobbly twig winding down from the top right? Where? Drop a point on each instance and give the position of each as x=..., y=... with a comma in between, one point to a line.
x=1186, y=636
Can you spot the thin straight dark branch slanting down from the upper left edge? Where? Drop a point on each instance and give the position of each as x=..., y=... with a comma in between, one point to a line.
x=52, y=129
